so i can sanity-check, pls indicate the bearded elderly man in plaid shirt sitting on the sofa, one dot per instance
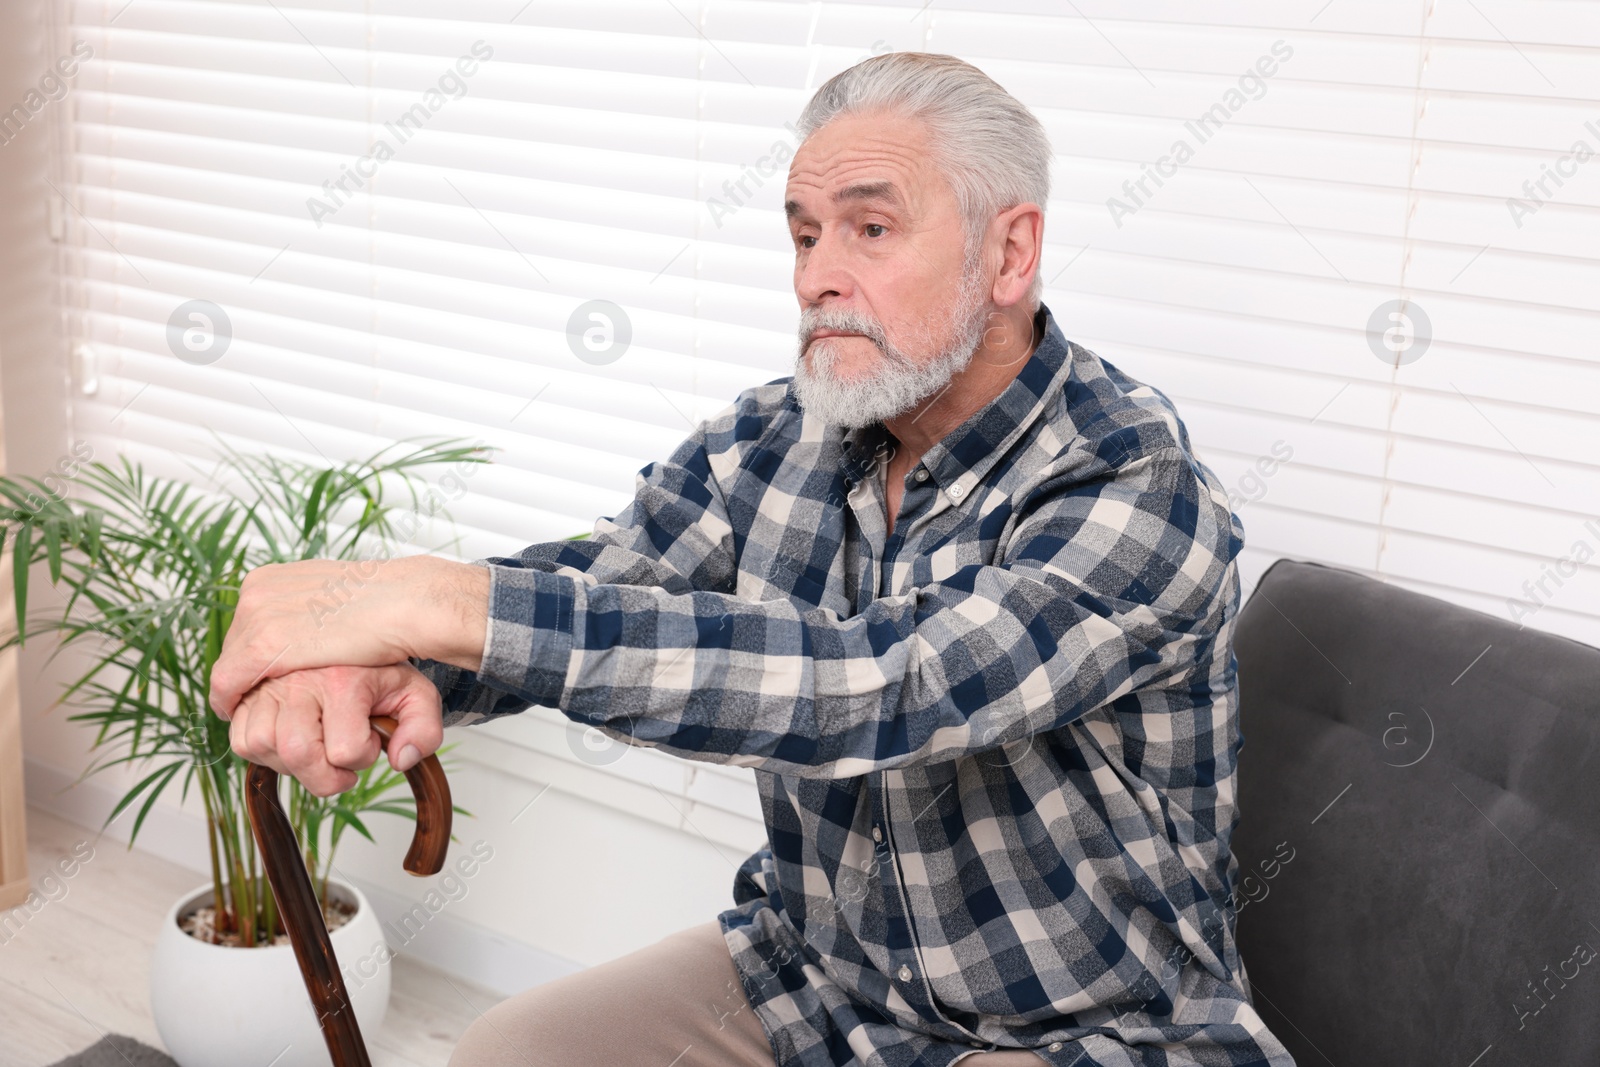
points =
(959, 593)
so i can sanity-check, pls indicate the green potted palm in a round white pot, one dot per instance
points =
(151, 570)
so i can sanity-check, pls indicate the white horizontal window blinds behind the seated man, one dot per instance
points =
(634, 153)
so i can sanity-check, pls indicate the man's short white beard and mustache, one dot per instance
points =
(900, 382)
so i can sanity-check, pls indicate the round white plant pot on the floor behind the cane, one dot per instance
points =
(217, 1005)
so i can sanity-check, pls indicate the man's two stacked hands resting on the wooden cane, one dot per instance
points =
(319, 647)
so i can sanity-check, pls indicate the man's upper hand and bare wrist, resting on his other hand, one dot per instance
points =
(364, 613)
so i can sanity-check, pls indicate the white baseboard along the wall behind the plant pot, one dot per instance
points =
(449, 945)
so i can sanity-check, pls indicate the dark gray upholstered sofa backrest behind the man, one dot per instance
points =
(1420, 828)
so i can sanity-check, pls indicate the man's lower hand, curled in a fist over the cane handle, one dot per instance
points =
(316, 724)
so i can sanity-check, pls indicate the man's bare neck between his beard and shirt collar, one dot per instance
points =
(1007, 345)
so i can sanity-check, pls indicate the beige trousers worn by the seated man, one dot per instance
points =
(674, 1004)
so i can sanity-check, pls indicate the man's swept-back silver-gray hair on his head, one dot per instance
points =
(991, 148)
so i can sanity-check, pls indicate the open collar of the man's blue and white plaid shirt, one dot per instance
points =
(961, 460)
